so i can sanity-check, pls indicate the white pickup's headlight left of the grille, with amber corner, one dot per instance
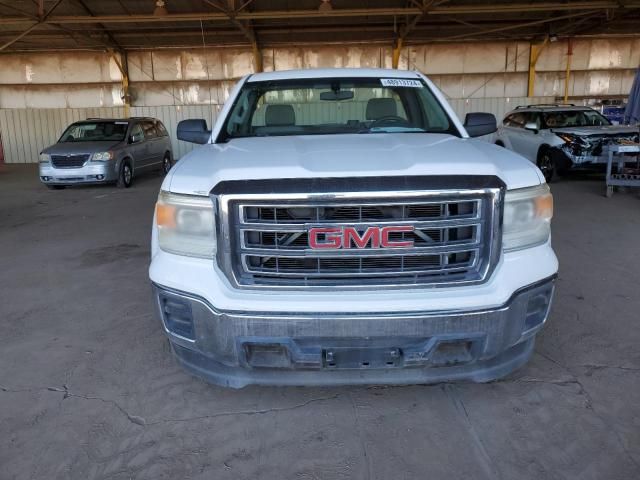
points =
(186, 225)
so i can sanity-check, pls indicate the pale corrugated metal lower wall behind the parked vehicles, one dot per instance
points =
(25, 132)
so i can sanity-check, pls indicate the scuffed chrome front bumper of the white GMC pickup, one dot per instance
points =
(240, 348)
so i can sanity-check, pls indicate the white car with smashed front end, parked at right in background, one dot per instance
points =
(558, 138)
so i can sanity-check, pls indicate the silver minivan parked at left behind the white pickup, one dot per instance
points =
(100, 150)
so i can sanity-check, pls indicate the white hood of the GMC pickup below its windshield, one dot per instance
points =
(346, 155)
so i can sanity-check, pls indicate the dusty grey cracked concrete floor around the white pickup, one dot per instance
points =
(89, 388)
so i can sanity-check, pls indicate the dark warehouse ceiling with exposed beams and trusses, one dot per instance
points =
(44, 25)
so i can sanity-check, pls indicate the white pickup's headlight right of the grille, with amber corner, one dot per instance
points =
(527, 217)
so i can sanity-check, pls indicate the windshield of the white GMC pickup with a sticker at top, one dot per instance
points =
(335, 106)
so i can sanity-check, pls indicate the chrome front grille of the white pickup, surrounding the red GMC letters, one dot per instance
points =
(265, 239)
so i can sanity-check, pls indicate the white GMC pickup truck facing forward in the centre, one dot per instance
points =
(341, 226)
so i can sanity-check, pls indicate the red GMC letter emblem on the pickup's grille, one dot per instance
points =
(348, 237)
